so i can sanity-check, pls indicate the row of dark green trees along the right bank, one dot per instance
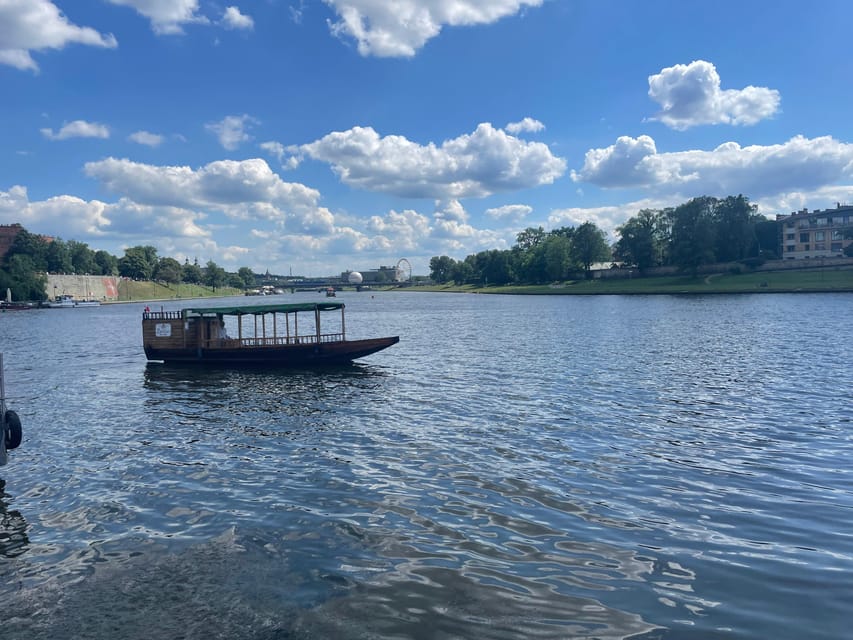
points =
(701, 231)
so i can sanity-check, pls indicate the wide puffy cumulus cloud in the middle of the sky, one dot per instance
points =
(473, 165)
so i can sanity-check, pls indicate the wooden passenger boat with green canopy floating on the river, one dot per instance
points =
(198, 335)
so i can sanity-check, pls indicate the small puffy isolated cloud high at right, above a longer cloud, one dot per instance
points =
(690, 95)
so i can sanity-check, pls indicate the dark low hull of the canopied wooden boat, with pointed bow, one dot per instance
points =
(281, 355)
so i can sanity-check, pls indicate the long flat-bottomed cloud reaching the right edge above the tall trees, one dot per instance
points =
(799, 163)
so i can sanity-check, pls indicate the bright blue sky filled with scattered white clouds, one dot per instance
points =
(310, 137)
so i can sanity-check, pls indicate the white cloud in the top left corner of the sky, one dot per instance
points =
(35, 25)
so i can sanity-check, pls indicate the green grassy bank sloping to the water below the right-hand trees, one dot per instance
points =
(811, 280)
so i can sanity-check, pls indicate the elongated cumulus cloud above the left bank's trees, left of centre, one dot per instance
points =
(242, 190)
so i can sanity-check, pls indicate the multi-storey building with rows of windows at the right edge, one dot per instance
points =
(816, 234)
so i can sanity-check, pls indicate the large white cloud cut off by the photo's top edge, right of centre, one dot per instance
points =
(399, 29)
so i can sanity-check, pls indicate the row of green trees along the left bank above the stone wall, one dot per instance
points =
(32, 256)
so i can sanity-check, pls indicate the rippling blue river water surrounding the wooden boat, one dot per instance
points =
(655, 467)
